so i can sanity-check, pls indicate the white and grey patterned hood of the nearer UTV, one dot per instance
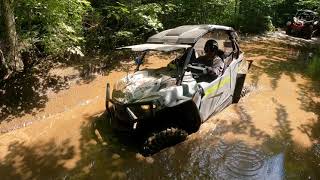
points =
(144, 86)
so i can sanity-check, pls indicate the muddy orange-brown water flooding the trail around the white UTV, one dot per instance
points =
(272, 133)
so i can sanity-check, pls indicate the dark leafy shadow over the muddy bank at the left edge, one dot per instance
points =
(25, 92)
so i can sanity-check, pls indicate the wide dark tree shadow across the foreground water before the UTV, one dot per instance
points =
(104, 154)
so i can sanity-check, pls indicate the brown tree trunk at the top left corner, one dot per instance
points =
(11, 50)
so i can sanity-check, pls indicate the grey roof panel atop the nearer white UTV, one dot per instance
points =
(188, 34)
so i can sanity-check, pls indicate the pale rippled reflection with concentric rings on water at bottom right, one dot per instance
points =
(235, 161)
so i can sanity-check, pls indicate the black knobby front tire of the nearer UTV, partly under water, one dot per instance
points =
(163, 139)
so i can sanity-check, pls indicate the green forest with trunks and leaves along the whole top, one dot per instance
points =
(36, 30)
